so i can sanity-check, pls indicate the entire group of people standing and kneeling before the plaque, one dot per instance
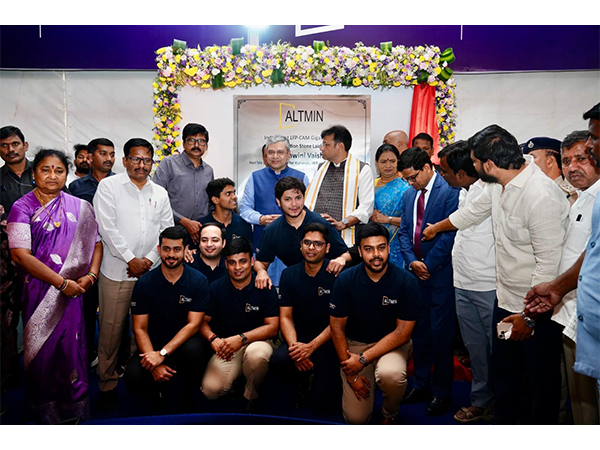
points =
(354, 273)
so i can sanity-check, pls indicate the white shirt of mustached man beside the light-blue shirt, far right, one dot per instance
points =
(578, 234)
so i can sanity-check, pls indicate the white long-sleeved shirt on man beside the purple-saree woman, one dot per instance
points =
(129, 222)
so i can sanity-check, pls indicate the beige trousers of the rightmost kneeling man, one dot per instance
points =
(389, 372)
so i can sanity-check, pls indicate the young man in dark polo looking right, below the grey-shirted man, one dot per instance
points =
(221, 193)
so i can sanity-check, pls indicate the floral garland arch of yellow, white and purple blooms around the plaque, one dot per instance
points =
(219, 67)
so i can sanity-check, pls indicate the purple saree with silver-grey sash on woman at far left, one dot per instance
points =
(56, 376)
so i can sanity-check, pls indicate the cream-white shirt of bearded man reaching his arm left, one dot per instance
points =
(529, 218)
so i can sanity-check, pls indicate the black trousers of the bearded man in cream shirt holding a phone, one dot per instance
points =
(529, 367)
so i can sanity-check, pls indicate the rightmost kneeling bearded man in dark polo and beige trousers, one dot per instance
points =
(373, 311)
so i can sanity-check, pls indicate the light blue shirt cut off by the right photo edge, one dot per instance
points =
(588, 303)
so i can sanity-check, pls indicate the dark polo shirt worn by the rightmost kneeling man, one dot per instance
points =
(372, 308)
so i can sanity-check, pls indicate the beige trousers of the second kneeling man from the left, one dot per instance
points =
(252, 360)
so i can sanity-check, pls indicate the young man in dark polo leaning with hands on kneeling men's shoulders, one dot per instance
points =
(281, 238)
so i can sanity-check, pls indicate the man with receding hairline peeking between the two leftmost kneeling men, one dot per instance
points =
(208, 260)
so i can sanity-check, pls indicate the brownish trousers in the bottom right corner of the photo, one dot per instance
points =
(583, 389)
